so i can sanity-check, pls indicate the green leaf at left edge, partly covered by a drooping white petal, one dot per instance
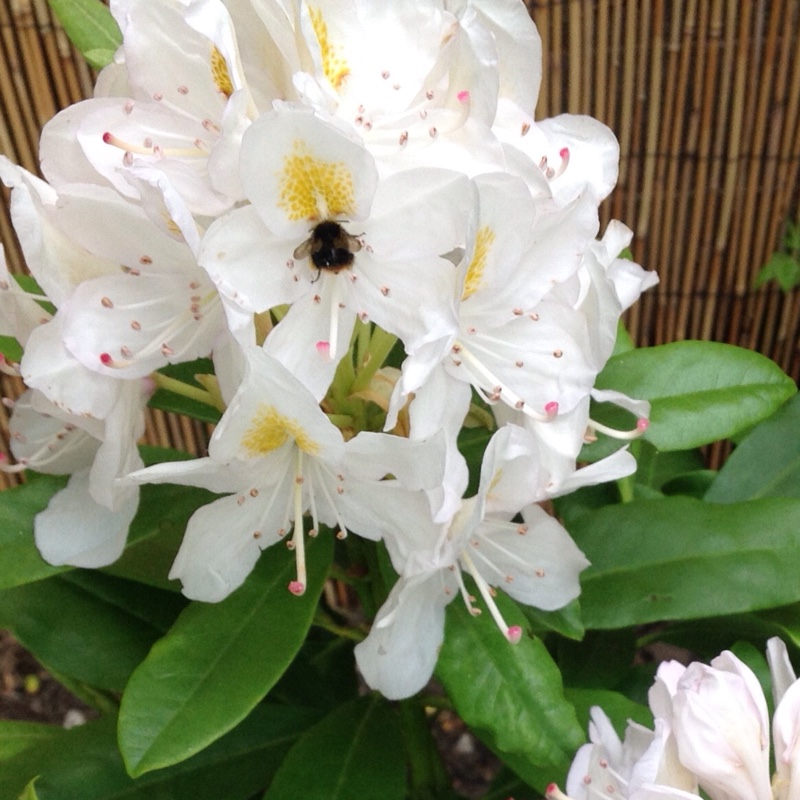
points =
(21, 562)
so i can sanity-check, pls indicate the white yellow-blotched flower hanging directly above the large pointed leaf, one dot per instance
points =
(276, 456)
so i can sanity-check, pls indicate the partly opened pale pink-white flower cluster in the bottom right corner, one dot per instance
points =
(712, 733)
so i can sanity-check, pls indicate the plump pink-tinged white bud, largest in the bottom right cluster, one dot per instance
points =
(721, 726)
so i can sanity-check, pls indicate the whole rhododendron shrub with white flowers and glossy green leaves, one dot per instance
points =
(440, 474)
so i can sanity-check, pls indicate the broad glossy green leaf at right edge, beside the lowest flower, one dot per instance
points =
(680, 558)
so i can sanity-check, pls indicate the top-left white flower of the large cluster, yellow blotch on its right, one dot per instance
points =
(176, 99)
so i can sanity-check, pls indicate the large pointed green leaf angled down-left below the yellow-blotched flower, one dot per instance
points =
(217, 662)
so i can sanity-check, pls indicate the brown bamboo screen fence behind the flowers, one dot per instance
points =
(704, 96)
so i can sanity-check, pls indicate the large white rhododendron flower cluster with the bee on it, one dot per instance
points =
(352, 210)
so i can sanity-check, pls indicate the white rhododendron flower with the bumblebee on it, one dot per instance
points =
(324, 235)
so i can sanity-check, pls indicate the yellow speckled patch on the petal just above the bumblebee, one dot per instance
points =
(313, 189)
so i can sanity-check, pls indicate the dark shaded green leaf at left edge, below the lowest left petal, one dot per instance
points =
(74, 628)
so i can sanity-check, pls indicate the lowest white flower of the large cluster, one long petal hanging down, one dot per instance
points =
(534, 561)
